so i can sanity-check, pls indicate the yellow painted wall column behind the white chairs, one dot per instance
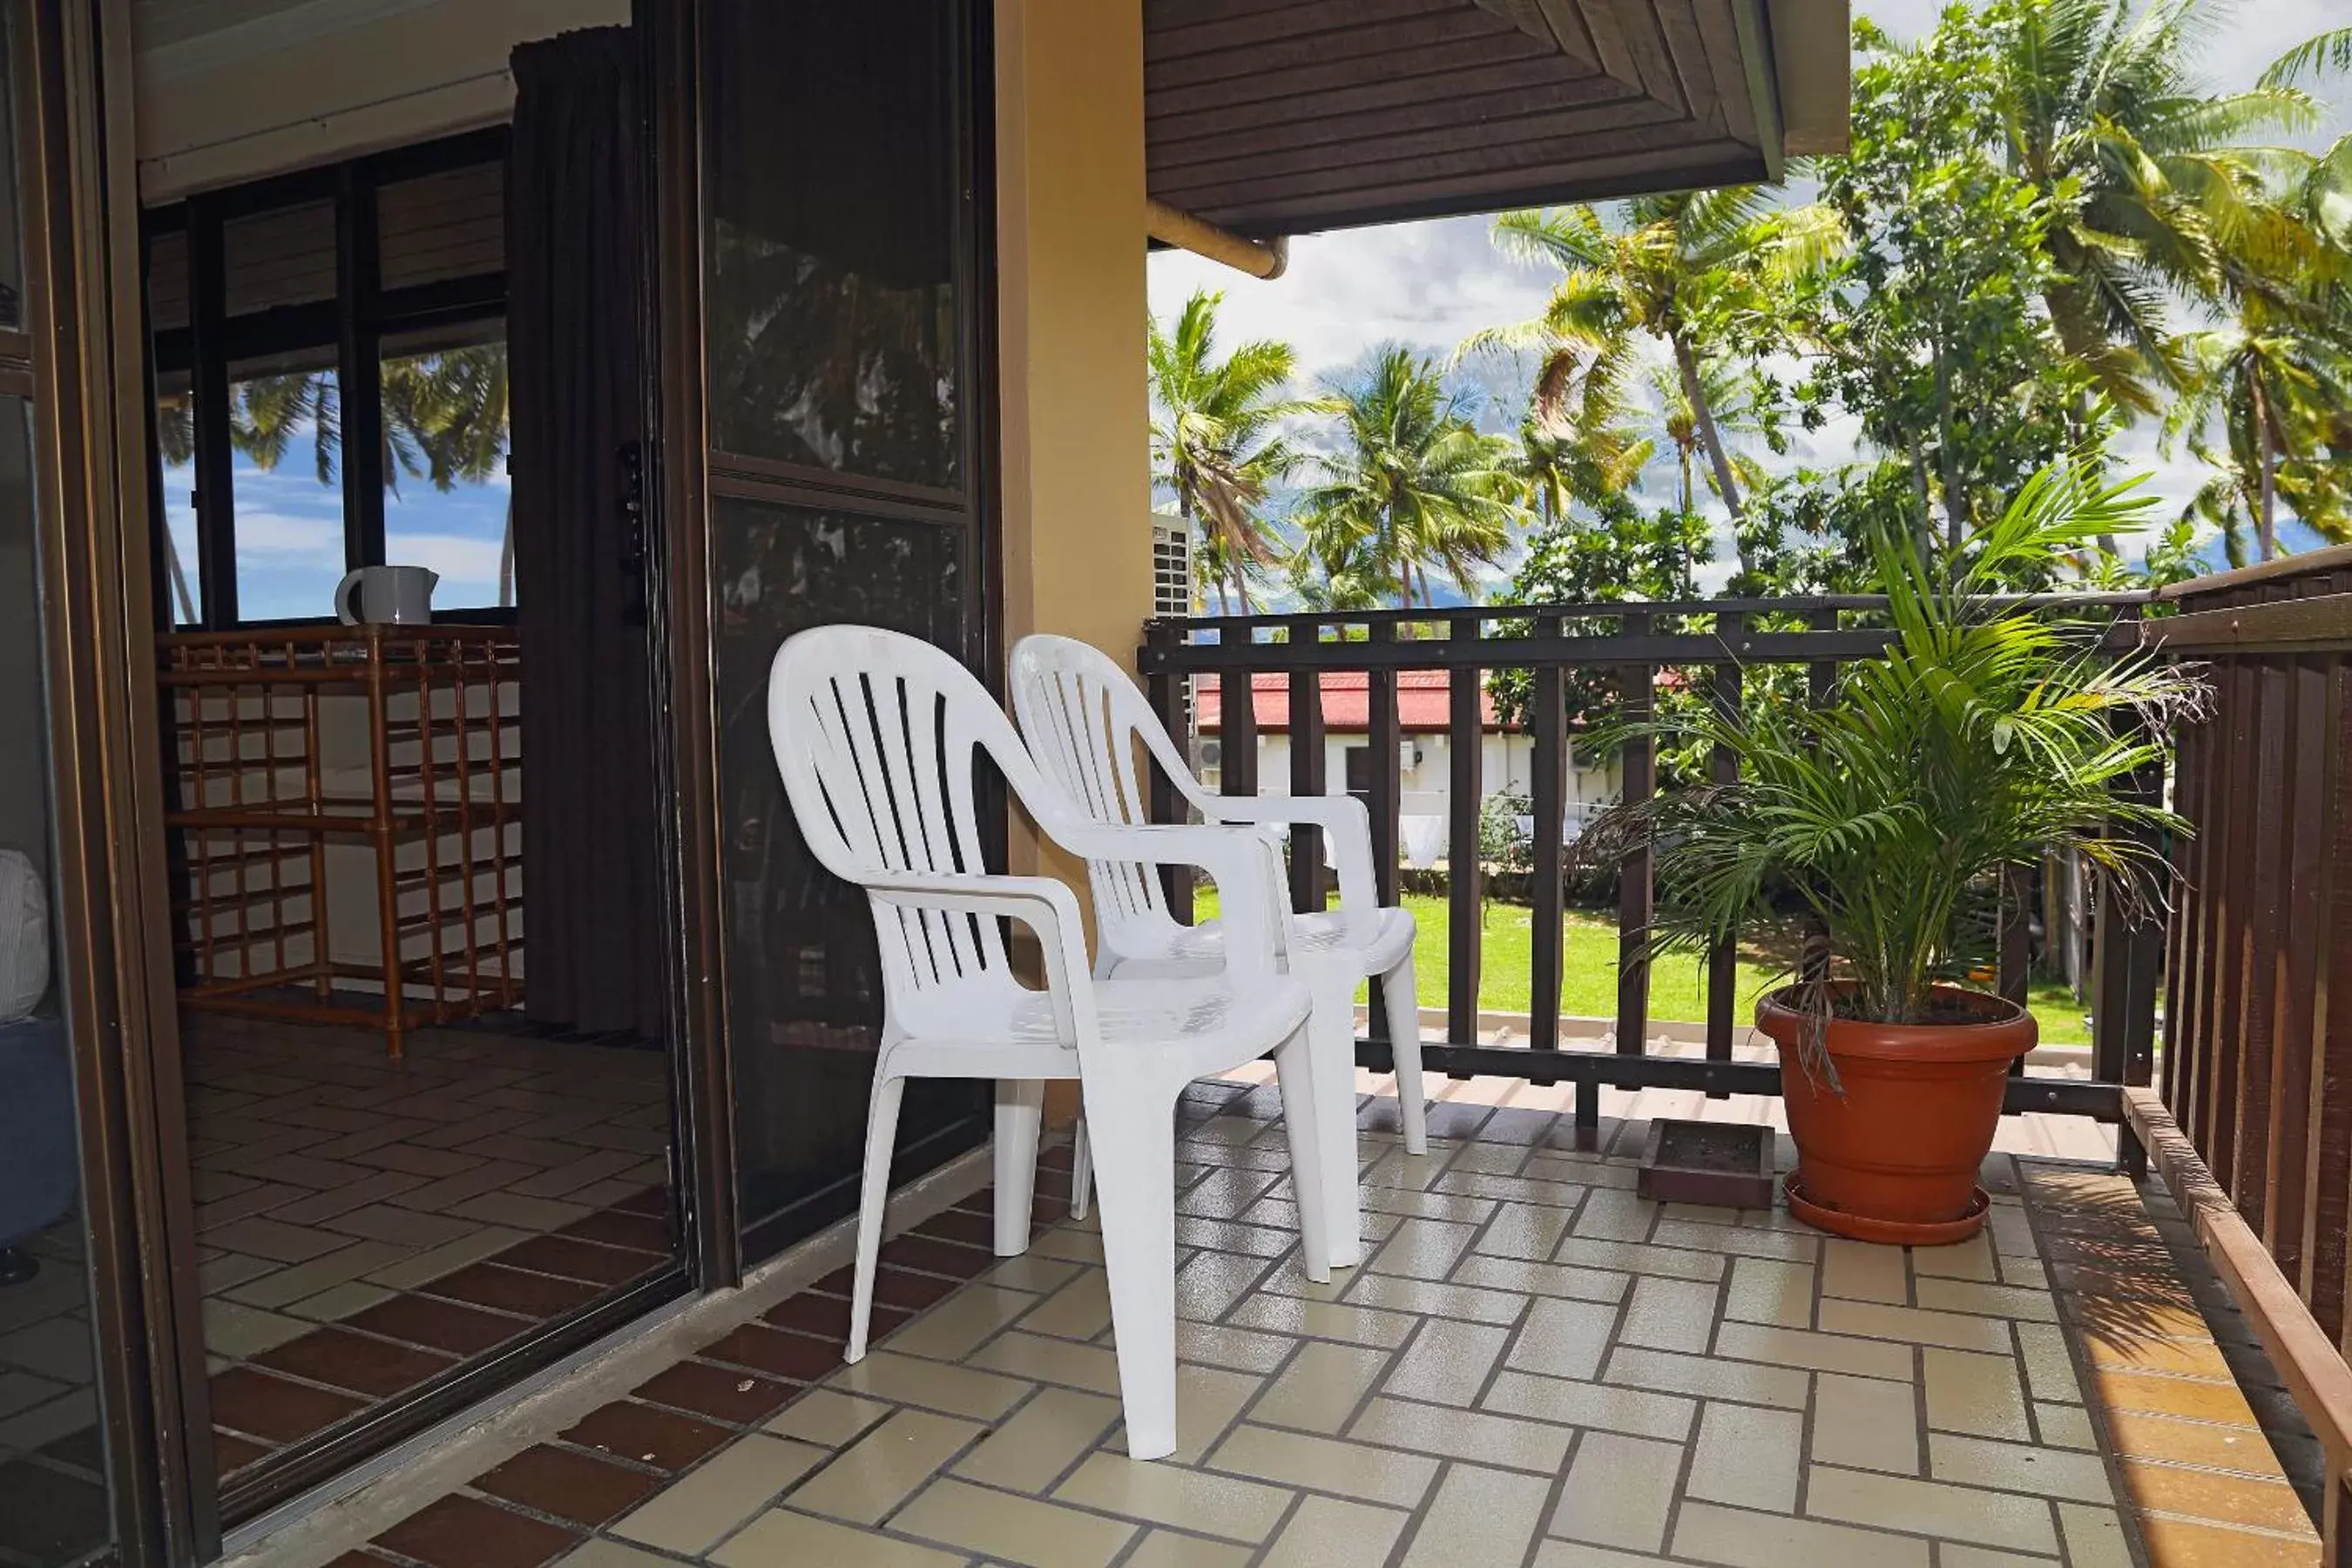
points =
(1071, 319)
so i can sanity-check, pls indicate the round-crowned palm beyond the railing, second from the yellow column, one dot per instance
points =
(1412, 485)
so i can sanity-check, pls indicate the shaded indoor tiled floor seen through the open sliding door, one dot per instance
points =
(366, 1226)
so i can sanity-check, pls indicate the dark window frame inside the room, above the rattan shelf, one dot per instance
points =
(354, 326)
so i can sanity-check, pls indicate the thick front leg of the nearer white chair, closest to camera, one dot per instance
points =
(1137, 1177)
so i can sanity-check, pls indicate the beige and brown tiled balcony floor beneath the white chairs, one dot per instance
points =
(1532, 1367)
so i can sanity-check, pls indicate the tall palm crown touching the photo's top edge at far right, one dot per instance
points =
(2160, 177)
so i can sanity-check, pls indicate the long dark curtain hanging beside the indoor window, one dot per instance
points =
(575, 222)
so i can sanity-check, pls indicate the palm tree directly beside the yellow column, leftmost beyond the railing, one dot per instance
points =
(1217, 438)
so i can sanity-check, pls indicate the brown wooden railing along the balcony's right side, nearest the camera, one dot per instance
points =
(2254, 1125)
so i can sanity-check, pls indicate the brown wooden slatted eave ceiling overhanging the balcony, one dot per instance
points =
(1328, 114)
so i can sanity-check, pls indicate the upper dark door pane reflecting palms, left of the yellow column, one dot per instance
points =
(834, 220)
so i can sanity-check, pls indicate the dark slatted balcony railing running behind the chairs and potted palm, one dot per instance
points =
(1716, 645)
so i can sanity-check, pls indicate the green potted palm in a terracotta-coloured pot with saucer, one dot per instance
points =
(1982, 739)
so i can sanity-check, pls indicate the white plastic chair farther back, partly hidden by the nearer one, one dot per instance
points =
(1083, 721)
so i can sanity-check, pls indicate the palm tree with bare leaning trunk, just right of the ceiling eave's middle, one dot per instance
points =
(1681, 269)
